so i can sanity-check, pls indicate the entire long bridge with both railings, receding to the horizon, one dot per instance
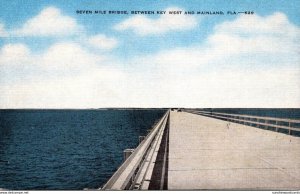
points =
(200, 150)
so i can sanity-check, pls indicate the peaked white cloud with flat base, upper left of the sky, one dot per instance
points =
(49, 22)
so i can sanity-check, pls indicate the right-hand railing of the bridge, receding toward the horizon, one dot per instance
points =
(256, 121)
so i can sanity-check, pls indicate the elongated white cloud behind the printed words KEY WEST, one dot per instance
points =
(144, 26)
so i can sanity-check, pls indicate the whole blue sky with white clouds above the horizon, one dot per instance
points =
(52, 57)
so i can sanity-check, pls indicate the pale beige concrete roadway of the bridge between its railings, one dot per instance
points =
(207, 153)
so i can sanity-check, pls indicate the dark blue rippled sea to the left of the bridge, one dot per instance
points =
(66, 149)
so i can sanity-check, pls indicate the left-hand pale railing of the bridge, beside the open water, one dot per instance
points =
(127, 174)
